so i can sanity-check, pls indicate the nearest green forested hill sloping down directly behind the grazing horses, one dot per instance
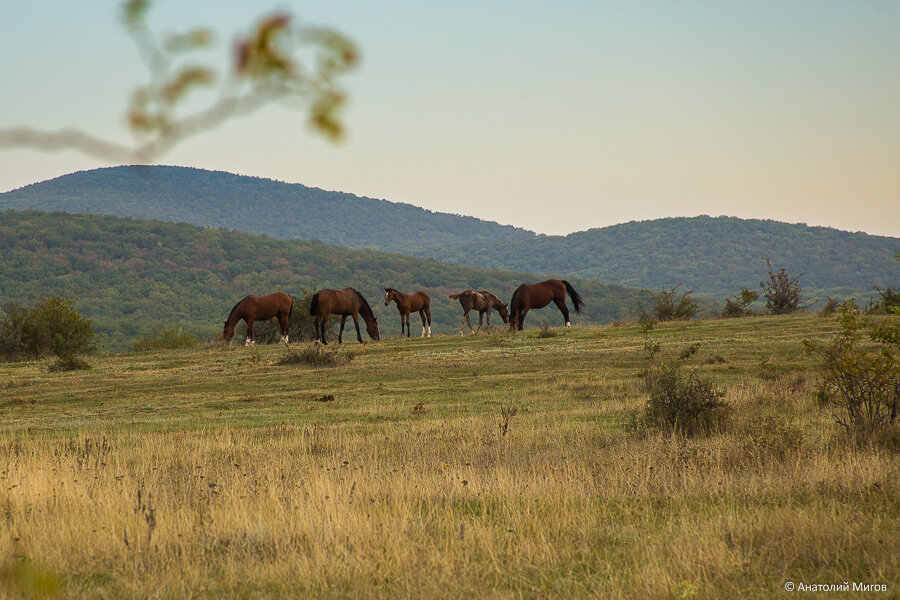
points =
(132, 277)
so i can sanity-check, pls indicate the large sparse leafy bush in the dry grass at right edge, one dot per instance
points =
(861, 384)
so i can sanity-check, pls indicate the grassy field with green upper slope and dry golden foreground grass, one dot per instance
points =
(210, 473)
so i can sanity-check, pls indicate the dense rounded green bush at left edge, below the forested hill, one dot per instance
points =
(50, 326)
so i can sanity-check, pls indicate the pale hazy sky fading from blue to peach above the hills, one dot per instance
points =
(554, 116)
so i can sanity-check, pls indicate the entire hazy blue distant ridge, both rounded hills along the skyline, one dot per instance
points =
(715, 256)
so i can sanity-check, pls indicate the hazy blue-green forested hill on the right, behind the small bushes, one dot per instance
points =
(716, 256)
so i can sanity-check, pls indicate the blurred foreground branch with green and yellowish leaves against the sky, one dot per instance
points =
(264, 69)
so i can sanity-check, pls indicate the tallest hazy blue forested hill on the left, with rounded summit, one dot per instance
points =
(254, 205)
